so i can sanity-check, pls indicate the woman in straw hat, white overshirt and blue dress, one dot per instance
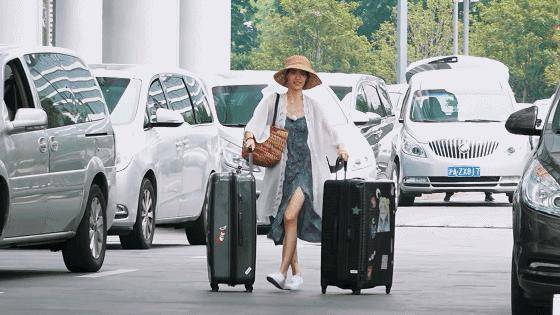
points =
(293, 188)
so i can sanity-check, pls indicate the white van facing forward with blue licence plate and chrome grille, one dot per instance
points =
(453, 136)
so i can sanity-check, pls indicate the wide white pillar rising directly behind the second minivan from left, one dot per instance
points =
(141, 31)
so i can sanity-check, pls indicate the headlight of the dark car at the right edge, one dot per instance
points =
(540, 190)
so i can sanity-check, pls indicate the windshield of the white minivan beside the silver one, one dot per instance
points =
(121, 96)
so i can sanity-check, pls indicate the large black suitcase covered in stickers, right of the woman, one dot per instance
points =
(357, 249)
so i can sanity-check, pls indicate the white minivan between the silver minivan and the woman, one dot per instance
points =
(167, 146)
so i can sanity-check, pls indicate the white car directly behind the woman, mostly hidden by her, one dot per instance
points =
(237, 93)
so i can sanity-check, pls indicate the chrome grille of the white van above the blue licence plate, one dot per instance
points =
(463, 149)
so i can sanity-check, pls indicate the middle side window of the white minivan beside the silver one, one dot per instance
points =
(178, 97)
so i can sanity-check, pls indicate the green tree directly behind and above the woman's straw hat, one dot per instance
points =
(322, 30)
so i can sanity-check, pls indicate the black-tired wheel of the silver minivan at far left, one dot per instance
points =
(85, 252)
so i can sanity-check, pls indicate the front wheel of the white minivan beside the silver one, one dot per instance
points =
(143, 231)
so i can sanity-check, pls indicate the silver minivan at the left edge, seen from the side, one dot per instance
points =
(57, 156)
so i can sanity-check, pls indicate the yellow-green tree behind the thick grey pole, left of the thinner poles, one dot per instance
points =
(429, 34)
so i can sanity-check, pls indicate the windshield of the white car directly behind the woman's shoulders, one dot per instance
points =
(235, 103)
